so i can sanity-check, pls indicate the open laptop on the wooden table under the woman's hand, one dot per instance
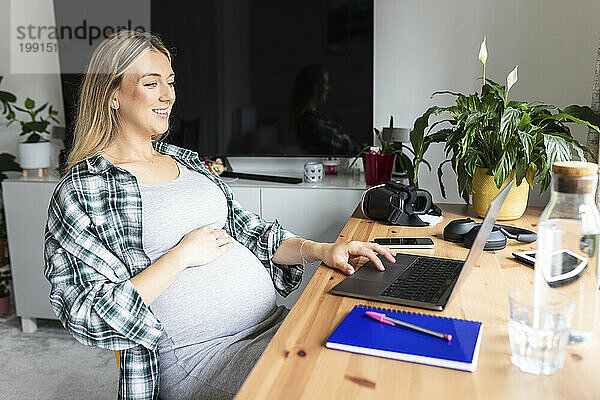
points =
(420, 281)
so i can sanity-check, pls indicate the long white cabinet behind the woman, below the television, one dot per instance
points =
(314, 212)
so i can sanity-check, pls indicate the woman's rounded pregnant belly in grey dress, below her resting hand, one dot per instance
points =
(228, 295)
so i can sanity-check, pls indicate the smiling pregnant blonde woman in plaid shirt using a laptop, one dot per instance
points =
(148, 253)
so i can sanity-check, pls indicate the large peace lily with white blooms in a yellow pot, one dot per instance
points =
(491, 139)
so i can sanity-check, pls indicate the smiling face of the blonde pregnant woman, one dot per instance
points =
(146, 96)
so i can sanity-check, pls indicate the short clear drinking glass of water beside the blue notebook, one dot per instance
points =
(538, 330)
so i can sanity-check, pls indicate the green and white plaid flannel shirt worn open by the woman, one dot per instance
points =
(93, 246)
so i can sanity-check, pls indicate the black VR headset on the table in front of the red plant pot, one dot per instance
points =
(398, 204)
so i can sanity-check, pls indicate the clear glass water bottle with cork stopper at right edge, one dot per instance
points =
(567, 246)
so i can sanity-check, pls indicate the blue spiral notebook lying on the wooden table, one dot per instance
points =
(358, 333)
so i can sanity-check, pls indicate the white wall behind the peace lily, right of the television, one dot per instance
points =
(426, 45)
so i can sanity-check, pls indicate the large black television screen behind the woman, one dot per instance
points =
(265, 77)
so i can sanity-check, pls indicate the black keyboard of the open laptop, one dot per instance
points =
(425, 280)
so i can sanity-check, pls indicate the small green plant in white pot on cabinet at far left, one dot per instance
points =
(35, 150)
